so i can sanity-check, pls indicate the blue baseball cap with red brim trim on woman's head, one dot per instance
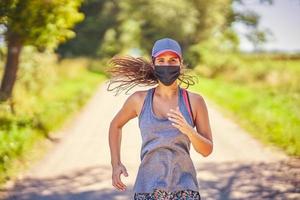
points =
(164, 45)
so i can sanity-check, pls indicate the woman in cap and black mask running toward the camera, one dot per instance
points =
(166, 122)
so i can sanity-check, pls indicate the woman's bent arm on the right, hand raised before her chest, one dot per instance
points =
(202, 138)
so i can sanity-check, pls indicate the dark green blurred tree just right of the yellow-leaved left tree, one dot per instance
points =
(100, 17)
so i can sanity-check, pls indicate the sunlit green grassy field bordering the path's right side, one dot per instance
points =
(268, 84)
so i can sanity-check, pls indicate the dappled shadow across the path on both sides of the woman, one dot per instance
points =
(221, 181)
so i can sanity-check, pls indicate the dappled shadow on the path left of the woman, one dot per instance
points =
(81, 184)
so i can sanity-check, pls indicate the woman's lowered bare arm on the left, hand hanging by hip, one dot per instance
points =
(127, 112)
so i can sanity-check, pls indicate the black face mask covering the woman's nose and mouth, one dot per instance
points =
(167, 74)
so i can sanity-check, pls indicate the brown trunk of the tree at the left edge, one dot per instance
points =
(11, 67)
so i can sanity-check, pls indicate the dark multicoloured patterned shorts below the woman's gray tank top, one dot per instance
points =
(164, 195)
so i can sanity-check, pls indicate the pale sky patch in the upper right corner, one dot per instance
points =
(282, 18)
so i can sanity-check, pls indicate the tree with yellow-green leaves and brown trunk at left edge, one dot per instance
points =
(43, 24)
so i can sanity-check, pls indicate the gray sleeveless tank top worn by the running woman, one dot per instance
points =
(165, 152)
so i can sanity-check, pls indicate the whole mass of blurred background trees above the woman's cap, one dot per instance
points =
(118, 27)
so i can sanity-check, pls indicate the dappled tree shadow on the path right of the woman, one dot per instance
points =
(253, 180)
